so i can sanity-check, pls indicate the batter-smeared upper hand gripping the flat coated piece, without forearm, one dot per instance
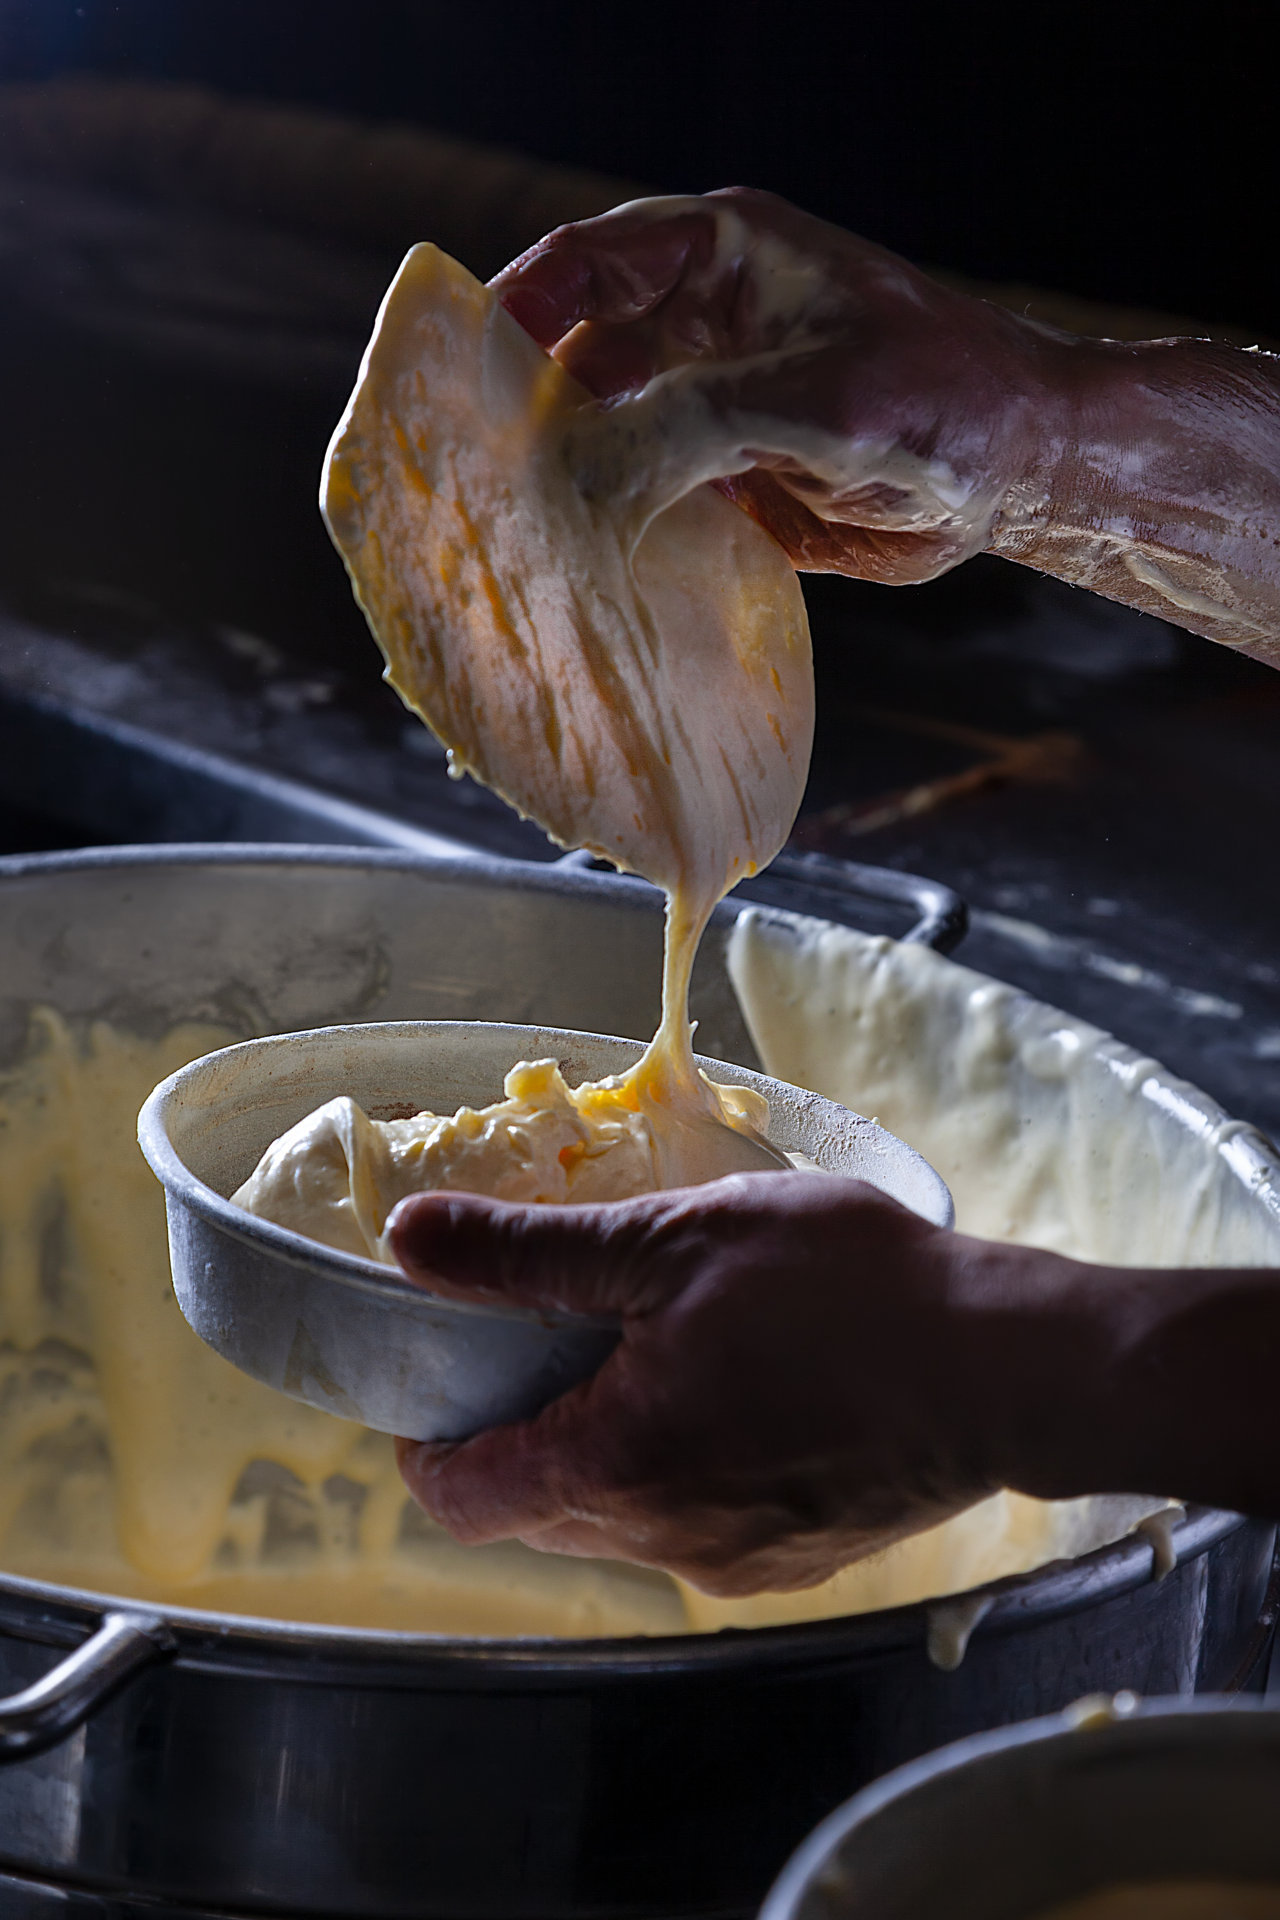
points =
(872, 420)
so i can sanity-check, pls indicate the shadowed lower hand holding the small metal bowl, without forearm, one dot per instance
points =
(807, 1374)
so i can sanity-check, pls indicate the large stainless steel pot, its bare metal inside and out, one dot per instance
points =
(239, 1765)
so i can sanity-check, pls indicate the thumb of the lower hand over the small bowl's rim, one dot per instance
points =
(579, 1259)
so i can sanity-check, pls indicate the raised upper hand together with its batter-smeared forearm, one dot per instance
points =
(888, 427)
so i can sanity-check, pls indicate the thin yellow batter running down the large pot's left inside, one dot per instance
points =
(135, 1460)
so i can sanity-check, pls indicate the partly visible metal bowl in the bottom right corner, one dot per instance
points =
(1008, 1825)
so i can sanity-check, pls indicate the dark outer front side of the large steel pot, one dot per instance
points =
(312, 1771)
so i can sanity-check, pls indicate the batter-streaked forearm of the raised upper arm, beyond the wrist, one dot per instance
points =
(1158, 485)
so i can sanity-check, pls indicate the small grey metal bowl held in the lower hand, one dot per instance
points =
(354, 1337)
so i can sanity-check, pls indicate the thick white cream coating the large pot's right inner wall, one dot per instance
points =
(1047, 1130)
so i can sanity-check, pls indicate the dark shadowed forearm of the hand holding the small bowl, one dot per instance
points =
(1133, 1381)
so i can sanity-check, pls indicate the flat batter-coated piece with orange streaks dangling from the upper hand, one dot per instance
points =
(638, 690)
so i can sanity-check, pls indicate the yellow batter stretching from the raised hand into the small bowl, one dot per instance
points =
(638, 686)
